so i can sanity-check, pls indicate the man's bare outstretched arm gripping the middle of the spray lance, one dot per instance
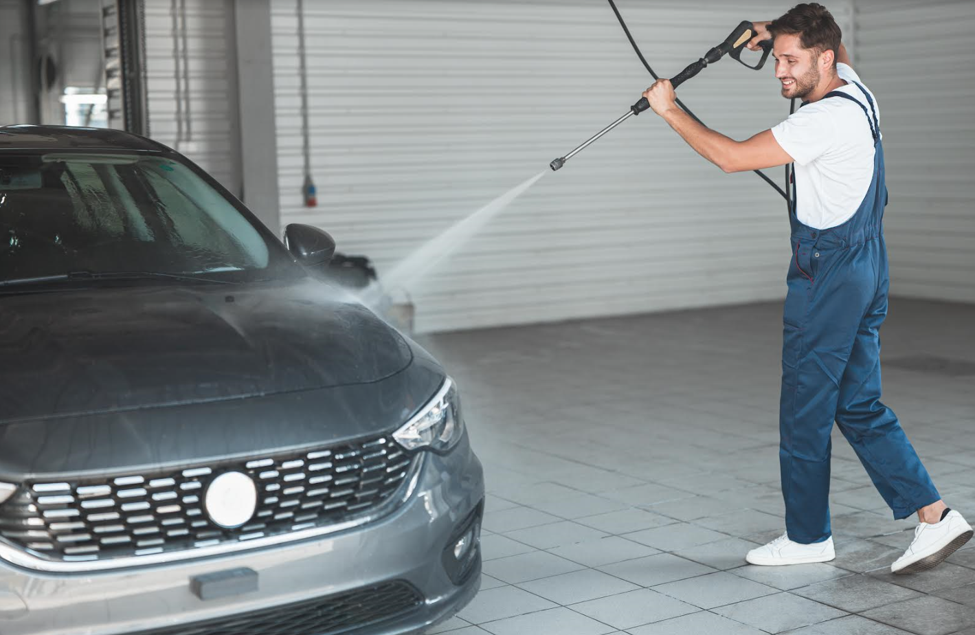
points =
(759, 152)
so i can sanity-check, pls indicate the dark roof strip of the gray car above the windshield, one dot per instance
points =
(29, 137)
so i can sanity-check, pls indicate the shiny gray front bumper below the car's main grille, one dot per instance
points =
(407, 546)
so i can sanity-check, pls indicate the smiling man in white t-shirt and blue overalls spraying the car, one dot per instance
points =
(837, 292)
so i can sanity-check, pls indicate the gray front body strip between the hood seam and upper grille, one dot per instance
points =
(154, 440)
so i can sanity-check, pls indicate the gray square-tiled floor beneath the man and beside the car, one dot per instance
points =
(632, 462)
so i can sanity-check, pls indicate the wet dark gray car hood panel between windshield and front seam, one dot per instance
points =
(101, 350)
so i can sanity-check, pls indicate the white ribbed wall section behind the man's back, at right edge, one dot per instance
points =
(916, 57)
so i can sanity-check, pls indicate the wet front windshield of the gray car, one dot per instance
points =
(103, 214)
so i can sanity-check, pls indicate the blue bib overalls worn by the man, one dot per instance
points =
(837, 300)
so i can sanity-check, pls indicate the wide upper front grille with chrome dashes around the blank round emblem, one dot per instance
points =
(143, 514)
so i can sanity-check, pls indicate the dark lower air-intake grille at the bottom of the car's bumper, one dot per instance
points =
(324, 616)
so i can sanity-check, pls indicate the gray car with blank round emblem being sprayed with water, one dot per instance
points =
(198, 433)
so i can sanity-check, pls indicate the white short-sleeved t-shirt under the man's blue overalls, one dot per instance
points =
(832, 145)
